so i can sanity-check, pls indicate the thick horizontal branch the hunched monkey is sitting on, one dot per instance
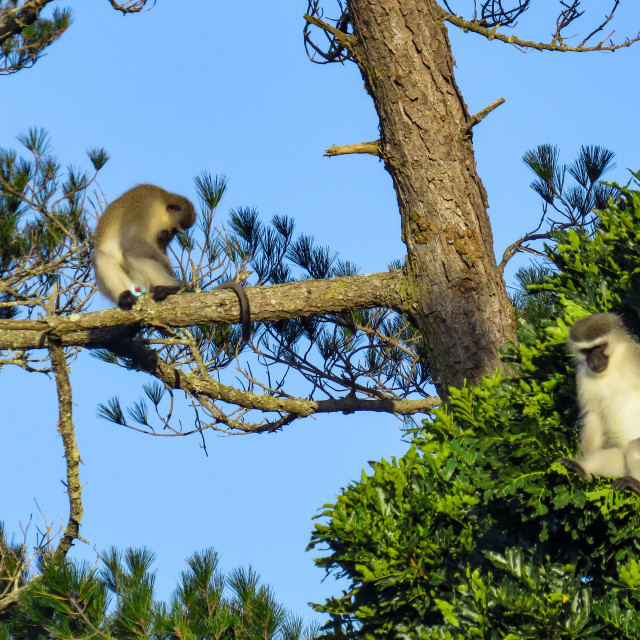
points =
(268, 304)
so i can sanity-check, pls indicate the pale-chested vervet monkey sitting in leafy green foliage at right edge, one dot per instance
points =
(608, 382)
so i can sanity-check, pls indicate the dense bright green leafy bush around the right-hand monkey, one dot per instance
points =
(477, 531)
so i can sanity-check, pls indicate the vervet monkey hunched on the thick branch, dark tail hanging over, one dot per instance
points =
(130, 254)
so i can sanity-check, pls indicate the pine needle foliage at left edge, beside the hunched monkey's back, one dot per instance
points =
(44, 229)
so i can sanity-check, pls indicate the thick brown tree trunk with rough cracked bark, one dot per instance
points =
(463, 310)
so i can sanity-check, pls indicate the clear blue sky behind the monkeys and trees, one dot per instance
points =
(228, 88)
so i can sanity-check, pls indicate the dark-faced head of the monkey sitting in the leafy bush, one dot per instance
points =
(594, 339)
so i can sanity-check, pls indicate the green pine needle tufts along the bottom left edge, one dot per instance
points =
(116, 600)
